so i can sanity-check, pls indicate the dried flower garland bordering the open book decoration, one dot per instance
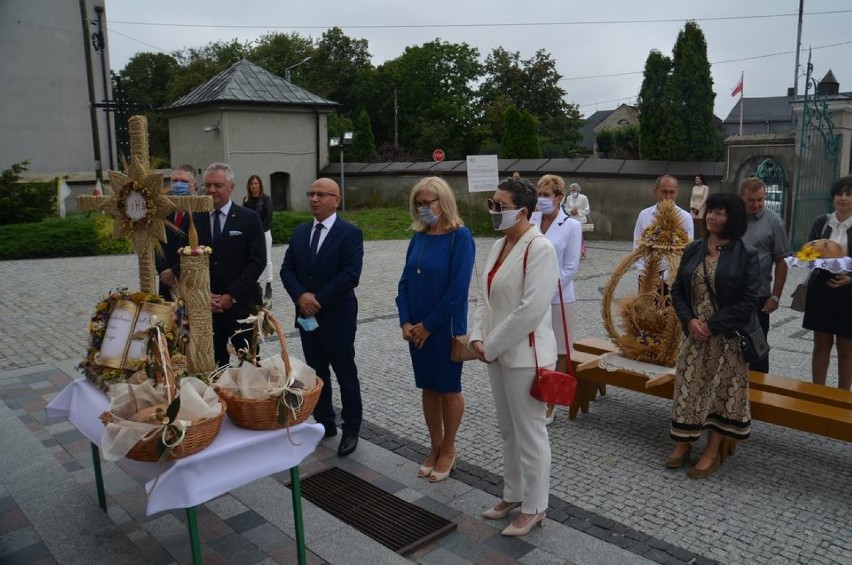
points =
(102, 376)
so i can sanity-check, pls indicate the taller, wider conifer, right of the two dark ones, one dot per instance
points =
(689, 126)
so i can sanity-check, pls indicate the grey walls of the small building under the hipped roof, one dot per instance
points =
(255, 141)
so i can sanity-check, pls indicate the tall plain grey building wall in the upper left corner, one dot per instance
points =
(44, 100)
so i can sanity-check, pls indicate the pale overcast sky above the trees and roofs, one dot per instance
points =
(599, 47)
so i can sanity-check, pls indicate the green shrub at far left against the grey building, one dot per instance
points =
(24, 202)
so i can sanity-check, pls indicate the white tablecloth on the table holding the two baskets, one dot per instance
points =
(236, 457)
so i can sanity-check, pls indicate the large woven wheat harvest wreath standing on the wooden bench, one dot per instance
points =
(648, 328)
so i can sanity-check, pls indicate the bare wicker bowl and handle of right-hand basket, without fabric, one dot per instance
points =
(262, 413)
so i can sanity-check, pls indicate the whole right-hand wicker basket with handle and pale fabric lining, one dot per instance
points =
(279, 392)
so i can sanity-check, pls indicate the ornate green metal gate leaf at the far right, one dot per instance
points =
(816, 163)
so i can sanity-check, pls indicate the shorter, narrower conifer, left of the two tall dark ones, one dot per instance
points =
(653, 106)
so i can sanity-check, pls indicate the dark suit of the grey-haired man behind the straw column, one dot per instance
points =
(239, 256)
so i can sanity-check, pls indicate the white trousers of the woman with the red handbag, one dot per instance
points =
(526, 446)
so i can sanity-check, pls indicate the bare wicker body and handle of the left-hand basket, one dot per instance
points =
(198, 436)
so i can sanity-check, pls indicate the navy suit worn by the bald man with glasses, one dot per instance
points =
(332, 276)
